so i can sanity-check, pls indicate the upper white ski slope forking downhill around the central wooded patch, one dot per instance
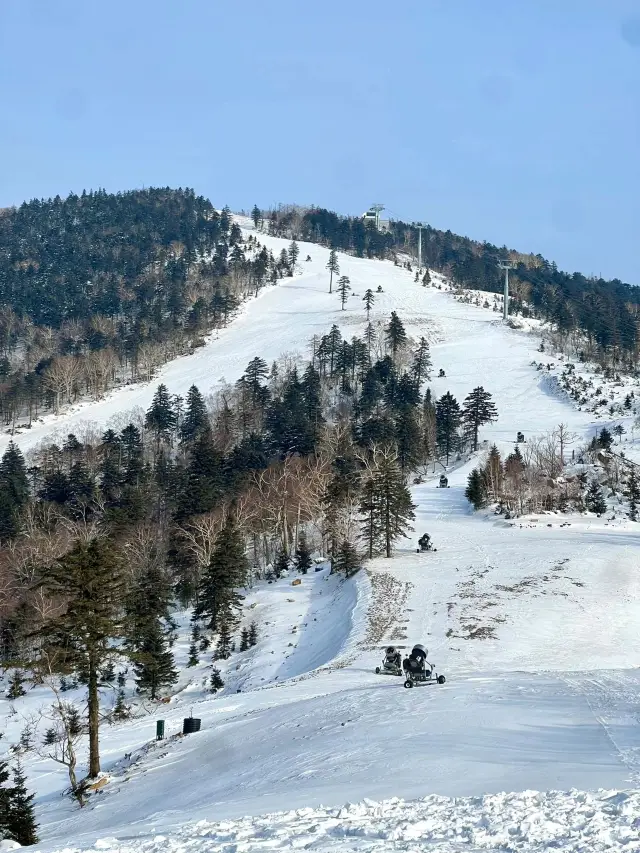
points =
(469, 343)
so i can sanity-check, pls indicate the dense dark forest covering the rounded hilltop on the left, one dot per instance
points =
(99, 289)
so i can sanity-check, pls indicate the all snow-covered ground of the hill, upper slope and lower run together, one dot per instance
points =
(534, 623)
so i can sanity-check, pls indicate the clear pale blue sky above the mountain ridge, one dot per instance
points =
(512, 121)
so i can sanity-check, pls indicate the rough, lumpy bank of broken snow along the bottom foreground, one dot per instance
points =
(527, 822)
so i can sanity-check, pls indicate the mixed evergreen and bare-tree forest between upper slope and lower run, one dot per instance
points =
(103, 536)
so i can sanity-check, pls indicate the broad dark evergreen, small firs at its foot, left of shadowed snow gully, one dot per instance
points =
(227, 570)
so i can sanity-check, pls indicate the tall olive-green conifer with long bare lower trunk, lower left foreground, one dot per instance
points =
(90, 579)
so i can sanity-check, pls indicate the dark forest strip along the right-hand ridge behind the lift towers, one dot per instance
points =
(603, 313)
